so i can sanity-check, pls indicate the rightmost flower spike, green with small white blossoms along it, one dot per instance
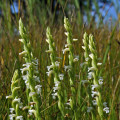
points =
(97, 81)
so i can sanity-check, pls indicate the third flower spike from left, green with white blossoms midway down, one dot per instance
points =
(53, 68)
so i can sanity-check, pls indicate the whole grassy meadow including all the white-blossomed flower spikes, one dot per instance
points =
(67, 71)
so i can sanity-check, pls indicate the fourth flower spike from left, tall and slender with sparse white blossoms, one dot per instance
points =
(70, 67)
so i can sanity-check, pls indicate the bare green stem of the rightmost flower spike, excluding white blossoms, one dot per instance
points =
(95, 75)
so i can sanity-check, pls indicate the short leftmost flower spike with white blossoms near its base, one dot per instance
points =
(16, 101)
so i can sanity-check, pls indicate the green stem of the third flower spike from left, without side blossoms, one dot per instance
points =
(54, 67)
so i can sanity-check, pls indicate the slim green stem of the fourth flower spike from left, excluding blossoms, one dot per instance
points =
(71, 71)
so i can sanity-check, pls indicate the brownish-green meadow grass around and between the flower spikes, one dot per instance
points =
(107, 40)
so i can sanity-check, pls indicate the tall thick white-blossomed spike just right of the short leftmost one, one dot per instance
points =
(29, 74)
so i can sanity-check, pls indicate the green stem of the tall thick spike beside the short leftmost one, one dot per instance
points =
(31, 69)
